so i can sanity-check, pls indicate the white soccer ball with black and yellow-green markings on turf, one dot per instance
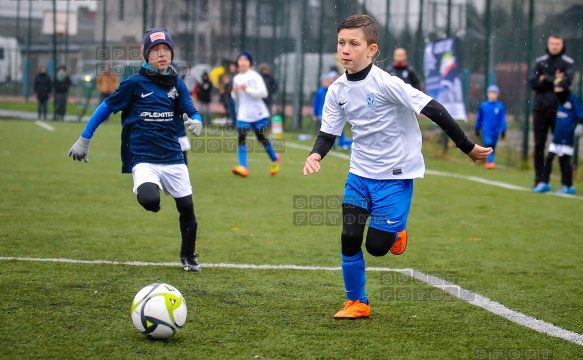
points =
(158, 311)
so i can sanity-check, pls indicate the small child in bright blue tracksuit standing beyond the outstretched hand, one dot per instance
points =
(491, 123)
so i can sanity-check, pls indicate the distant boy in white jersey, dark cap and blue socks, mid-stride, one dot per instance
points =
(249, 90)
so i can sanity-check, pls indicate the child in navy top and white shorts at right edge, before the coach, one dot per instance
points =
(567, 127)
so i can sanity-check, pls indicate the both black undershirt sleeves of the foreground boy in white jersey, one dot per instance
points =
(433, 110)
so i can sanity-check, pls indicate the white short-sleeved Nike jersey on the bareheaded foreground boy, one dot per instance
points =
(381, 110)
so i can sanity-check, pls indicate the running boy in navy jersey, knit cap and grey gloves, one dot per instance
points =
(150, 131)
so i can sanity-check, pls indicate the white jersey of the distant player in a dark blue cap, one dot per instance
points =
(250, 105)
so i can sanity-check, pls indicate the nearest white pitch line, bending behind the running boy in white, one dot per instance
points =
(446, 286)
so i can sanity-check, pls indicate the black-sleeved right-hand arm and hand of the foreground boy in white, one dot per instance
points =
(439, 115)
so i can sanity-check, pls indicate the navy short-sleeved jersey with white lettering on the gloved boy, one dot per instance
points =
(151, 119)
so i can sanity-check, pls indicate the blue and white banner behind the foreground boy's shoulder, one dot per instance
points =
(442, 77)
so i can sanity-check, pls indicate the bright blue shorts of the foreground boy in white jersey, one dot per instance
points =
(387, 201)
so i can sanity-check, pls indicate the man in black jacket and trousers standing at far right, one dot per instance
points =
(551, 68)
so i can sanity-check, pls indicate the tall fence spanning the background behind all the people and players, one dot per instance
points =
(498, 41)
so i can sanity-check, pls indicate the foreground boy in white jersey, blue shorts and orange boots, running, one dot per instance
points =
(386, 153)
